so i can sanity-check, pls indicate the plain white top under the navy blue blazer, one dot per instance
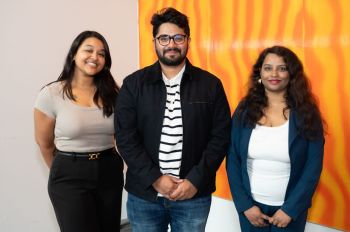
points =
(268, 164)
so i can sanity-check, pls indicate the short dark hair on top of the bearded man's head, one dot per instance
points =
(170, 15)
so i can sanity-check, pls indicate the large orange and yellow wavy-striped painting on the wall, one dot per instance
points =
(226, 37)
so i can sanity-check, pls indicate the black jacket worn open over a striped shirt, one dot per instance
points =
(138, 123)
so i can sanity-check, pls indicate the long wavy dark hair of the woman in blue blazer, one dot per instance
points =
(298, 95)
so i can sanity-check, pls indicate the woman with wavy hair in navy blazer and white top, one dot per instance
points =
(277, 144)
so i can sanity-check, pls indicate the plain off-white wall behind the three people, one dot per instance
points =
(34, 39)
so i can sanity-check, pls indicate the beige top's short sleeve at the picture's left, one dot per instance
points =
(45, 103)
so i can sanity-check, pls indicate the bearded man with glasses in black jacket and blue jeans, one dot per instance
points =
(172, 125)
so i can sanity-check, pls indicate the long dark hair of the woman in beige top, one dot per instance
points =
(106, 87)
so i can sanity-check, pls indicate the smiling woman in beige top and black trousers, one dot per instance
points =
(74, 130)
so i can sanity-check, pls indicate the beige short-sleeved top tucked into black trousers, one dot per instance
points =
(77, 128)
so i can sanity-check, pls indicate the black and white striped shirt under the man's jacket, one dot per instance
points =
(170, 149)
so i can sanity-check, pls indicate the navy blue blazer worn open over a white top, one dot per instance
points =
(306, 158)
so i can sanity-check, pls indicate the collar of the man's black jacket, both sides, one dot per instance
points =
(155, 72)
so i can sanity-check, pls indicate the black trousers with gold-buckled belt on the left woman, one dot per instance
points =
(86, 194)
